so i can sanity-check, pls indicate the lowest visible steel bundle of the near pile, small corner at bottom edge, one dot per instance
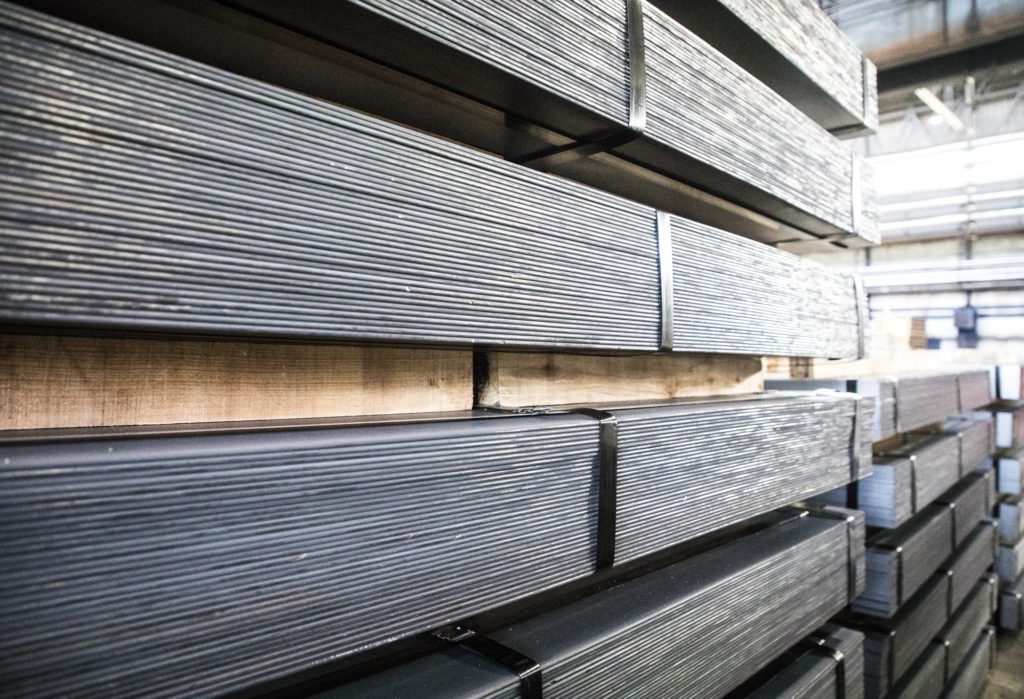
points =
(830, 663)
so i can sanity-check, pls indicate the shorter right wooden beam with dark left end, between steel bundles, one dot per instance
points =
(518, 380)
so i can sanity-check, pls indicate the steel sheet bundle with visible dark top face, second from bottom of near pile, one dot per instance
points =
(663, 634)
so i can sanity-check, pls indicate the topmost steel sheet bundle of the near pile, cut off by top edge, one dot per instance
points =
(795, 50)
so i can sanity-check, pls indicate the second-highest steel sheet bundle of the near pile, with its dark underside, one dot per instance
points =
(629, 88)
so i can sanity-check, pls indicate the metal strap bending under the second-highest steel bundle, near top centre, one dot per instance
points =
(549, 158)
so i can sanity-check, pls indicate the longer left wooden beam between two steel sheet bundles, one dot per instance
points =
(62, 382)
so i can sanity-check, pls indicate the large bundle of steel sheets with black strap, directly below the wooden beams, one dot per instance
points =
(368, 532)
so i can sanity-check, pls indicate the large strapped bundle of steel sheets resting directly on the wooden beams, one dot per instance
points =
(146, 193)
